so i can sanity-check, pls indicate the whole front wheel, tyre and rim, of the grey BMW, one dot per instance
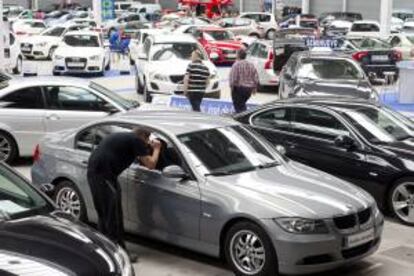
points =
(247, 236)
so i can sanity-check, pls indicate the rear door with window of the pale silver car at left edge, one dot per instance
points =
(22, 112)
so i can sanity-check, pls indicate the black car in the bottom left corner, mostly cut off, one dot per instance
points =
(35, 237)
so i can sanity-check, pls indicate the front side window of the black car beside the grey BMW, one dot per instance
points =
(317, 124)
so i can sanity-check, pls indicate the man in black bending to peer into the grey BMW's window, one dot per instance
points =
(114, 154)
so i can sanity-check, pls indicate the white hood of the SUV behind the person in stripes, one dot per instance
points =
(179, 68)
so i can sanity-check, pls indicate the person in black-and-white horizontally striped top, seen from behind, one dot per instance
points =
(196, 80)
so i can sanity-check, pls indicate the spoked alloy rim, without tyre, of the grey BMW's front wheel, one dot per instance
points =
(247, 252)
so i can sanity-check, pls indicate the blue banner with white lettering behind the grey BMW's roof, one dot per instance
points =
(209, 106)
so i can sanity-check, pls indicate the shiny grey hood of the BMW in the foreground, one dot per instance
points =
(295, 190)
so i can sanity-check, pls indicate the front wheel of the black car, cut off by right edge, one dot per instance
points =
(401, 200)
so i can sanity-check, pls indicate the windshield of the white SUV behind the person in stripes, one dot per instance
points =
(169, 51)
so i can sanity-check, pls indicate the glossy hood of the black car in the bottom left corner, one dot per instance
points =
(57, 241)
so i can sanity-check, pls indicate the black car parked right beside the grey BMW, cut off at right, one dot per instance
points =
(362, 142)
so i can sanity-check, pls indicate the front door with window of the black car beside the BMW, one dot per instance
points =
(314, 132)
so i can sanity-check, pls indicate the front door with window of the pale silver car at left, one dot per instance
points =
(72, 106)
